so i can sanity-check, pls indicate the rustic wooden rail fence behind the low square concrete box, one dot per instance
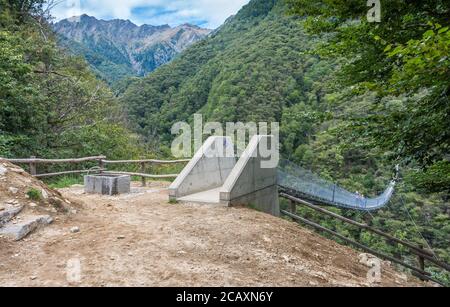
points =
(102, 162)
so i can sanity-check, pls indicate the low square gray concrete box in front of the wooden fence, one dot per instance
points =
(107, 184)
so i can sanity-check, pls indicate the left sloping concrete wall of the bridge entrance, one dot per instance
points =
(208, 169)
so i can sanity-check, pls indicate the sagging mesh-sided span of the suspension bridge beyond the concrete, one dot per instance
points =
(310, 186)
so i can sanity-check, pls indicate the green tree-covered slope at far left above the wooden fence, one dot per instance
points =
(51, 104)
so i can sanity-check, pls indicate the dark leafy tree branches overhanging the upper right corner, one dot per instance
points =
(404, 57)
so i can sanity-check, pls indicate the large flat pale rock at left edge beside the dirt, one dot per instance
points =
(20, 230)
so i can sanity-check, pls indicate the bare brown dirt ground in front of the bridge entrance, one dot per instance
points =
(141, 240)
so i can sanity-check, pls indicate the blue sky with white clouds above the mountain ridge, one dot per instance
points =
(205, 13)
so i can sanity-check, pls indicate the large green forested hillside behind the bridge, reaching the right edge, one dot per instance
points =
(272, 63)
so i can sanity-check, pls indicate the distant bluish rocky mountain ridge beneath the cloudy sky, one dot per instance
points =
(119, 48)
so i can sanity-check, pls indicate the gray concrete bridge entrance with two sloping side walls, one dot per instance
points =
(213, 177)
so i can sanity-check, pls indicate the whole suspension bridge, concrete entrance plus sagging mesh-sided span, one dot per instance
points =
(214, 176)
